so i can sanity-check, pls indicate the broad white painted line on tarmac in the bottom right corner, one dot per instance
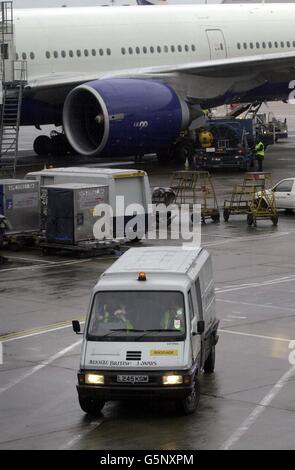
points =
(258, 410)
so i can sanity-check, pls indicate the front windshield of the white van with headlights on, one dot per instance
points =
(134, 315)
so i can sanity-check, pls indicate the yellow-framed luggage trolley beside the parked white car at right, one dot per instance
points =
(253, 198)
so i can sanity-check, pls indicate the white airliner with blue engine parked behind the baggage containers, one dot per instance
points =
(132, 81)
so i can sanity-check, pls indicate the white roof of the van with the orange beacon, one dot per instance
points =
(174, 259)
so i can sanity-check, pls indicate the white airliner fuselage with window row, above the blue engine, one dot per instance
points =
(64, 43)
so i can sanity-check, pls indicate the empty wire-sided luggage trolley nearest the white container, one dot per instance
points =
(196, 187)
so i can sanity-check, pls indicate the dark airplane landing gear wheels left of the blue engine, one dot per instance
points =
(56, 145)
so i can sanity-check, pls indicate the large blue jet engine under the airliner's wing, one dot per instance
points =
(123, 116)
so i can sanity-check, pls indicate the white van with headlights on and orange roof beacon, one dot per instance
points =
(151, 329)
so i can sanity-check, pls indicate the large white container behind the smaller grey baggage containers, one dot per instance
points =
(132, 185)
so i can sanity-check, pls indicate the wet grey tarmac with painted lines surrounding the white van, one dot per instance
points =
(248, 403)
